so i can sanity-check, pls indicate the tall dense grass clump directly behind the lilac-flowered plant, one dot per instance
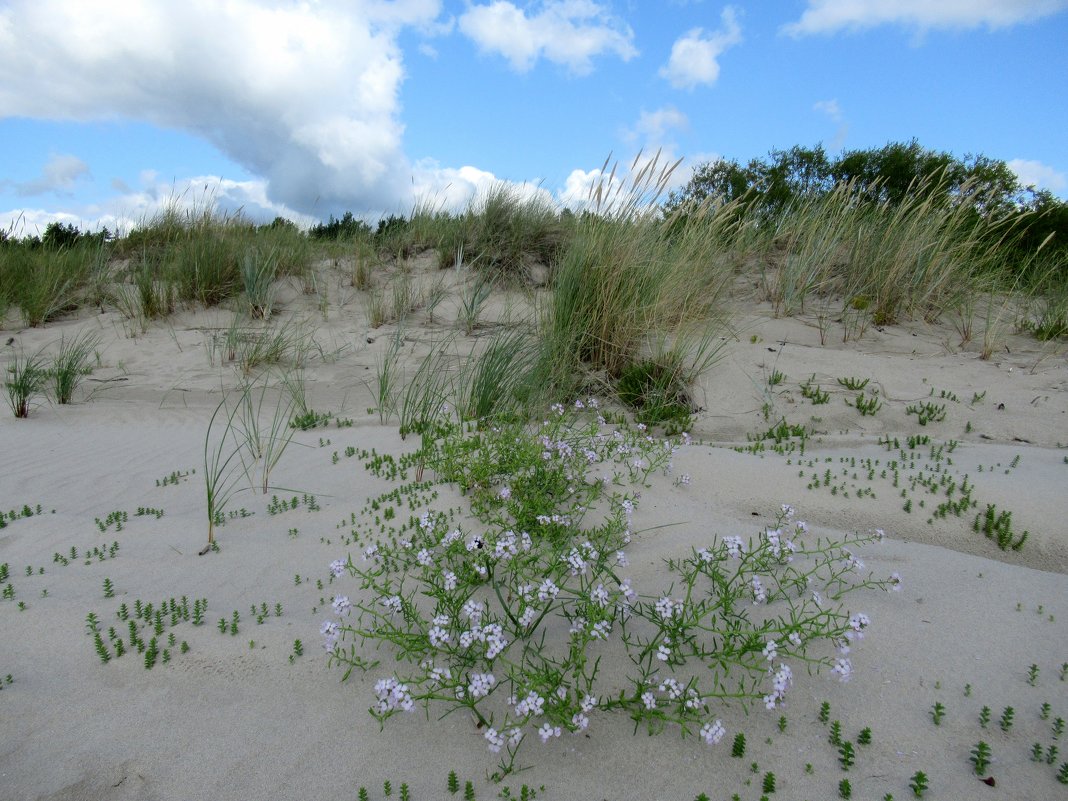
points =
(630, 279)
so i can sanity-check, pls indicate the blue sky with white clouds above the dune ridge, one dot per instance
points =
(112, 111)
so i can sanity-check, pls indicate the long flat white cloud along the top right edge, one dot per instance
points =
(828, 17)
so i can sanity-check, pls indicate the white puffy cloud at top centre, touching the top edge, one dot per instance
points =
(567, 33)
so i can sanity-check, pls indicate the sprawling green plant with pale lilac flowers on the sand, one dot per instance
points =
(512, 619)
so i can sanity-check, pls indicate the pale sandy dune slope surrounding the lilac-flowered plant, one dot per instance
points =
(226, 721)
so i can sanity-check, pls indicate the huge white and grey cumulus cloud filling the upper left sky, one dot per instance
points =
(305, 96)
